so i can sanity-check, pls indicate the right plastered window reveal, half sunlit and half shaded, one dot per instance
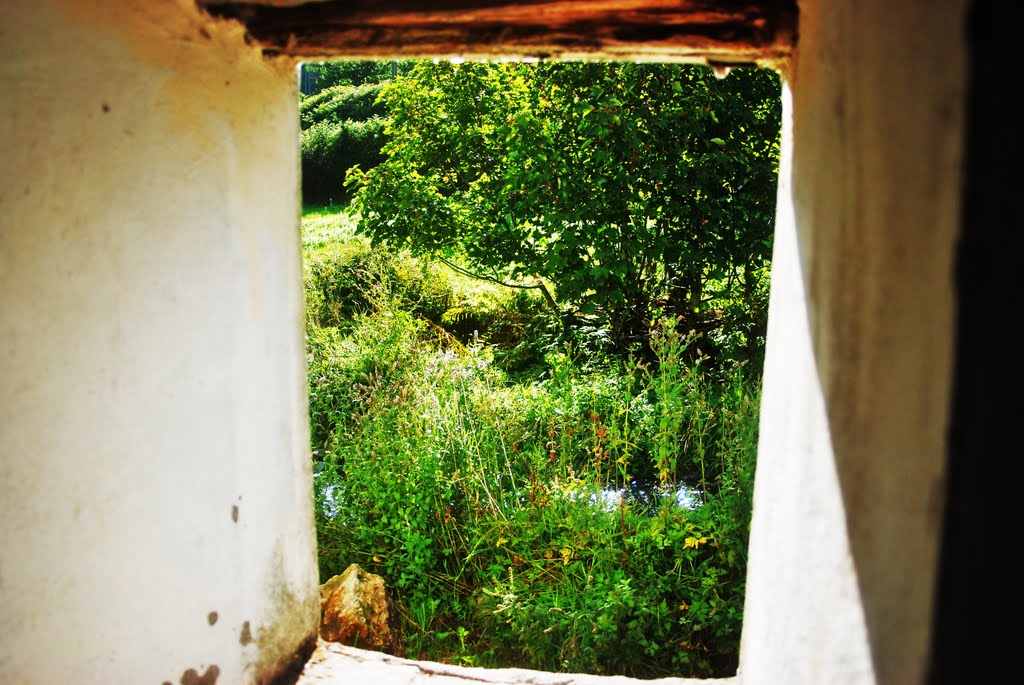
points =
(849, 492)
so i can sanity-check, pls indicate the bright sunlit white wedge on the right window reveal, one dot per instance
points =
(803, 621)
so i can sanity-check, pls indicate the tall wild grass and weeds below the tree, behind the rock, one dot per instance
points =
(594, 521)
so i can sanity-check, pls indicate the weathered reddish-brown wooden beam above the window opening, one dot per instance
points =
(730, 33)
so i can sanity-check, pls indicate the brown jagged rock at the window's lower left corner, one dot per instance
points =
(356, 611)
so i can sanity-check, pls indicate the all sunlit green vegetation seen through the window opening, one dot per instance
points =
(540, 484)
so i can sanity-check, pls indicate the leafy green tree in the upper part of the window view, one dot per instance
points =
(632, 188)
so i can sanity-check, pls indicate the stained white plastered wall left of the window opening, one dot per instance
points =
(155, 486)
